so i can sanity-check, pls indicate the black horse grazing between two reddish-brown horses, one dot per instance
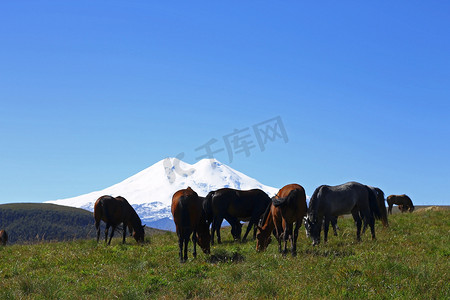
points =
(234, 206)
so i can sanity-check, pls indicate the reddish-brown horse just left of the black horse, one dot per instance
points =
(189, 218)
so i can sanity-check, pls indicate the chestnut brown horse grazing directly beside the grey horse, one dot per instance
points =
(288, 207)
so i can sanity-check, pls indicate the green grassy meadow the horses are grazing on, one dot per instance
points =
(409, 260)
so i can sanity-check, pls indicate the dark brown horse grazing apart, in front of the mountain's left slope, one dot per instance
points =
(114, 211)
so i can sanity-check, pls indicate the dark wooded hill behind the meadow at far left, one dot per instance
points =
(37, 222)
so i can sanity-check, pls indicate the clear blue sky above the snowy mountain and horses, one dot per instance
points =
(94, 91)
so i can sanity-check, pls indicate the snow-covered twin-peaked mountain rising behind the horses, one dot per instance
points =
(150, 191)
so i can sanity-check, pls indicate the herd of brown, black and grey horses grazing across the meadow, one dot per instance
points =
(280, 216)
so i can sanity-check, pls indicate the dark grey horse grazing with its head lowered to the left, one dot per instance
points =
(350, 197)
